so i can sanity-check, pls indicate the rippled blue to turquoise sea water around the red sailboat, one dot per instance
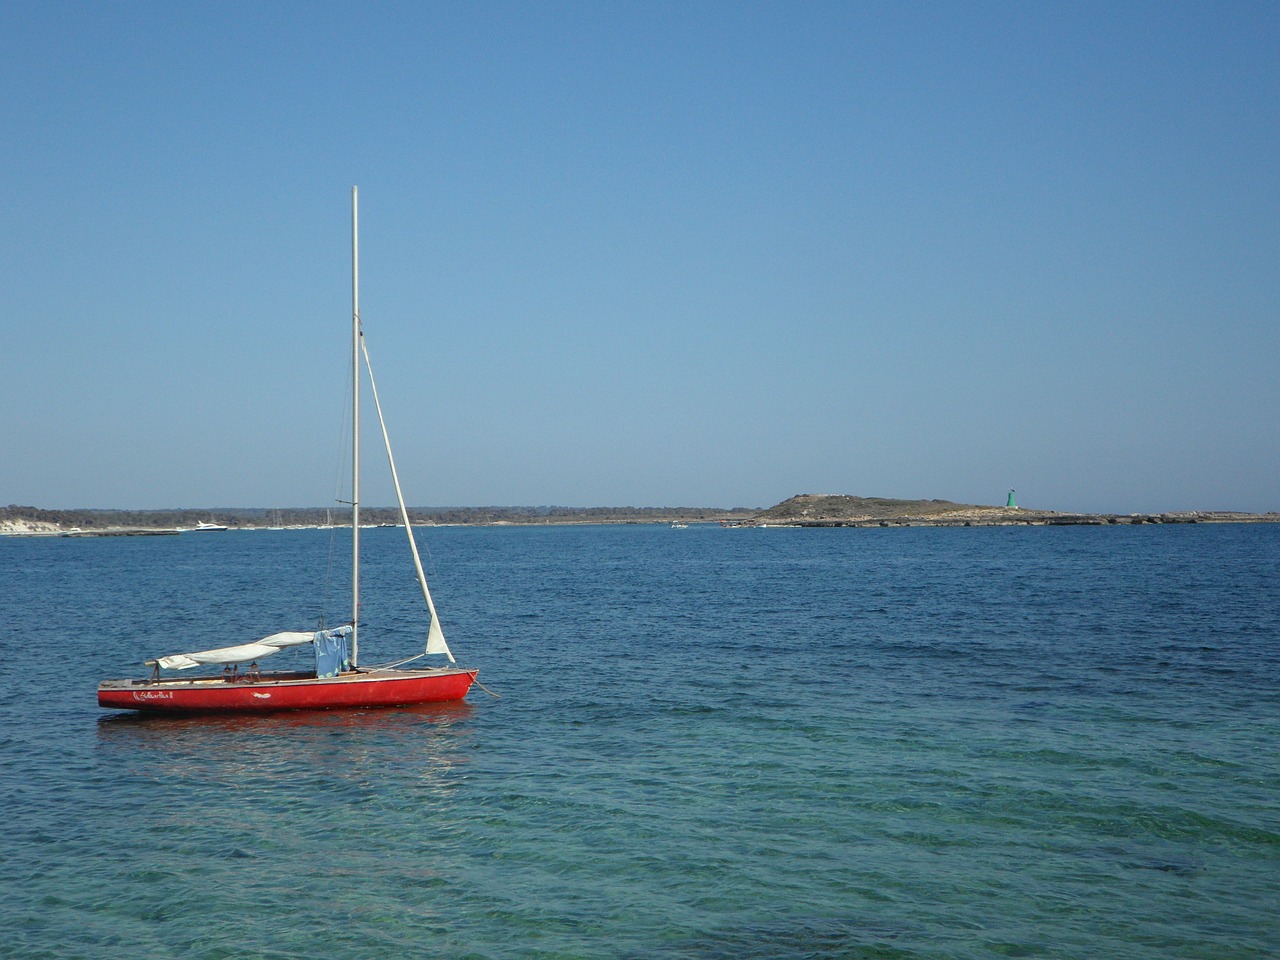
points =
(915, 743)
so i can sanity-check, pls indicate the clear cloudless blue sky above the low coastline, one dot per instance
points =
(691, 254)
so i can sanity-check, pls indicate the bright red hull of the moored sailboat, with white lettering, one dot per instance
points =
(381, 688)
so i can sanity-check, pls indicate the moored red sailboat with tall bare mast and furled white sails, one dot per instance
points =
(337, 682)
